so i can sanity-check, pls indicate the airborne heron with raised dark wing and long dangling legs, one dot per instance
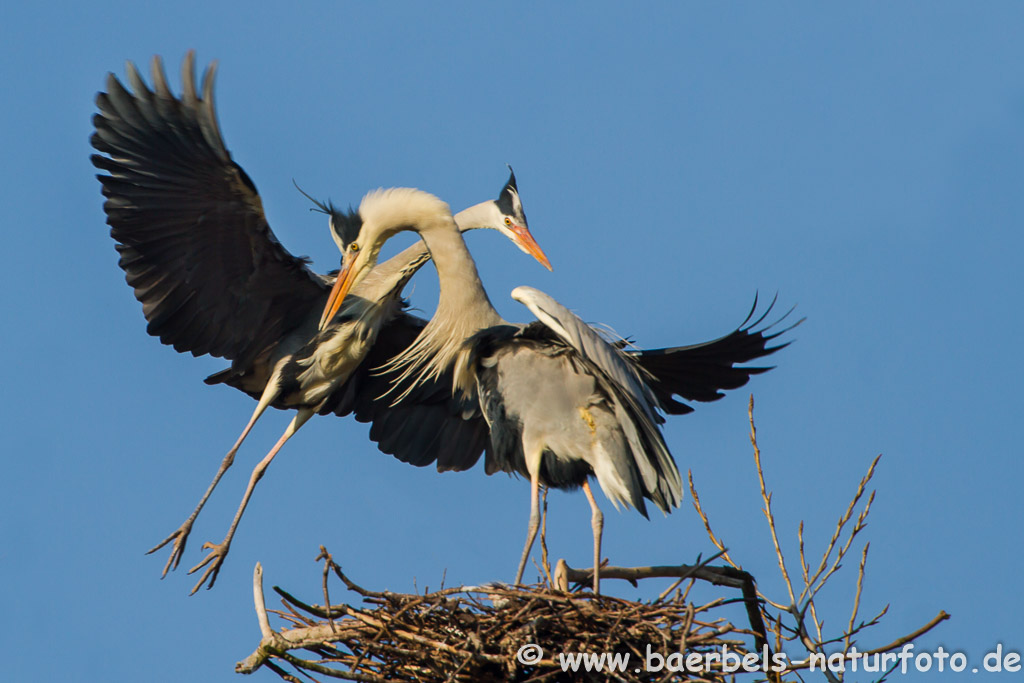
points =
(212, 279)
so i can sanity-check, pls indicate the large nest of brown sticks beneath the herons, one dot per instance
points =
(478, 634)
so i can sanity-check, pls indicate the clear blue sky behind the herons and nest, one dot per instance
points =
(674, 159)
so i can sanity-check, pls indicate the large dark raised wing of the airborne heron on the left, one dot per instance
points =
(194, 242)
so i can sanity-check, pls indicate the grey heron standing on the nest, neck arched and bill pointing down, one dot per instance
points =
(562, 403)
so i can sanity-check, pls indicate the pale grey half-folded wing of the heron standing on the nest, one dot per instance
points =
(635, 403)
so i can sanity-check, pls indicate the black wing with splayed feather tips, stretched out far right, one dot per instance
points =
(703, 372)
